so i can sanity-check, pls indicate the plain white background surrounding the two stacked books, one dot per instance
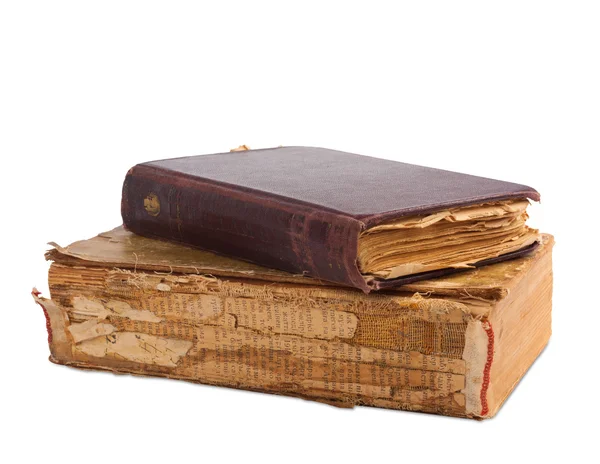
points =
(88, 89)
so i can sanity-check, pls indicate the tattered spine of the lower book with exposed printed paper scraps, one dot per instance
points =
(319, 343)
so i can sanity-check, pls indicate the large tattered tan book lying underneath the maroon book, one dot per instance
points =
(456, 345)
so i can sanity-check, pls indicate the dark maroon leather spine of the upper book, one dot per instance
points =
(246, 224)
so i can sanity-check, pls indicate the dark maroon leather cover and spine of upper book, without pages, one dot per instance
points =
(297, 209)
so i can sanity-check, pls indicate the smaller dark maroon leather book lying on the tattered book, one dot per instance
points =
(355, 220)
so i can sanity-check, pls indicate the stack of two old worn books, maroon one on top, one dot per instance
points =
(313, 273)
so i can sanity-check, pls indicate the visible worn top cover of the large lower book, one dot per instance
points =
(122, 249)
